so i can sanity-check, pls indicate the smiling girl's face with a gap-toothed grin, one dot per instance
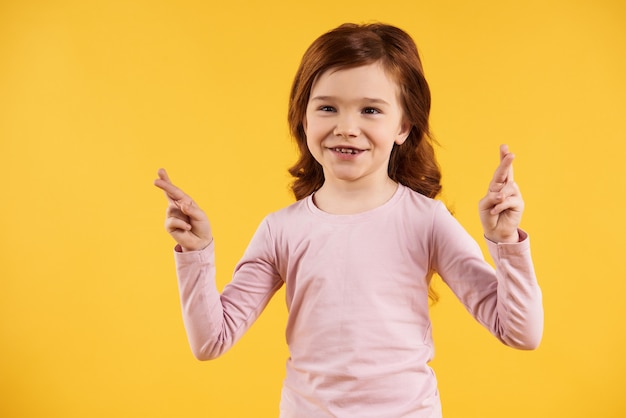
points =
(353, 119)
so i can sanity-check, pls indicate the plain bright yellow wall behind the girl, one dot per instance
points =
(96, 96)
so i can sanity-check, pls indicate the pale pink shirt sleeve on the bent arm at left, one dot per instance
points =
(214, 321)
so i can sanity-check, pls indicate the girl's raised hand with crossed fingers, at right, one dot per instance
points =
(501, 208)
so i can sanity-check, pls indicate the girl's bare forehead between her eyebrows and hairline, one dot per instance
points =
(371, 80)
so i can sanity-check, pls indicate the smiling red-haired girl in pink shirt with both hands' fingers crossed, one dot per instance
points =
(357, 250)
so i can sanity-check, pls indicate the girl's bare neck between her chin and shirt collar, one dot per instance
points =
(345, 198)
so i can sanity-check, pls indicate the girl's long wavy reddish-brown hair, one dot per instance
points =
(413, 163)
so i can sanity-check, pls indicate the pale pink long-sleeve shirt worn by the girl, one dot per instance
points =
(358, 330)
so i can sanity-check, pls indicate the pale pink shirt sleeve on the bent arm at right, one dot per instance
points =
(507, 301)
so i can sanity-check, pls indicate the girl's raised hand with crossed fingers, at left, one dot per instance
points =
(185, 221)
